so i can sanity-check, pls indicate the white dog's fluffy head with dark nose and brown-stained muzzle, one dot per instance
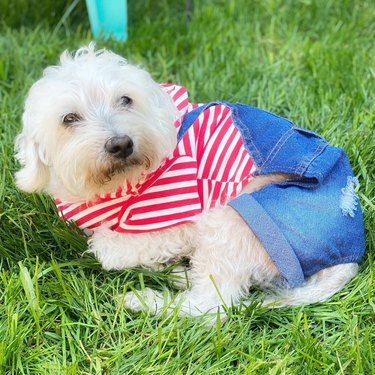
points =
(92, 124)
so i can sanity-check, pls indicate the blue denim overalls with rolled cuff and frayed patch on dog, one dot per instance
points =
(306, 224)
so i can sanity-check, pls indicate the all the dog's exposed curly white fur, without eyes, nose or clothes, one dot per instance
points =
(70, 162)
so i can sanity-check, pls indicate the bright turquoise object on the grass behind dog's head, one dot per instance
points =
(108, 18)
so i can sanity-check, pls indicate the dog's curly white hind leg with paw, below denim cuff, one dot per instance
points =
(227, 260)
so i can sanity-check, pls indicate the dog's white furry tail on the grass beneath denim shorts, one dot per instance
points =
(317, 288)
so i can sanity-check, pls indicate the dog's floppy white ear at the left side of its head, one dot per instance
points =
(34, 173)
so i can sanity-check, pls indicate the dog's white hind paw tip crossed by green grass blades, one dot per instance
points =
(145, 300)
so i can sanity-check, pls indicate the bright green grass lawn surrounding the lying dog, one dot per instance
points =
(312, 61)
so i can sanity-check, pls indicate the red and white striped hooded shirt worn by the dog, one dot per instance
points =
(208, 167)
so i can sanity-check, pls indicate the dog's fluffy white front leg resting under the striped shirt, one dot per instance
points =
(117, 251)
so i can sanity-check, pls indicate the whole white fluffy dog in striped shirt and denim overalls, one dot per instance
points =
(102, 137)
